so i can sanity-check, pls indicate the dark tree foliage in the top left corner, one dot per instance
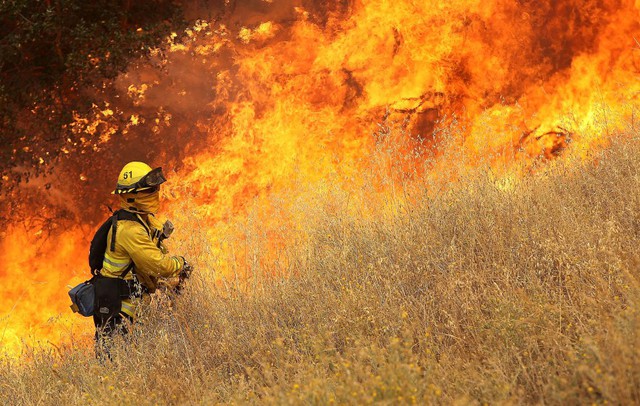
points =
(54, 56)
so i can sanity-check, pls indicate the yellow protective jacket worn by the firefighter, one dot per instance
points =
(138, 243)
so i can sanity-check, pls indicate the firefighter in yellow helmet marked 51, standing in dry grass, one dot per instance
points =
(134, 257)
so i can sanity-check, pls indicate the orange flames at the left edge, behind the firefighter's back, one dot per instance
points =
(35, 271)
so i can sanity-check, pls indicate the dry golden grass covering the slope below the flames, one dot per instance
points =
(476, 294)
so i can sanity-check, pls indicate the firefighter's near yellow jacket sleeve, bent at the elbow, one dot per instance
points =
(148, 258)
